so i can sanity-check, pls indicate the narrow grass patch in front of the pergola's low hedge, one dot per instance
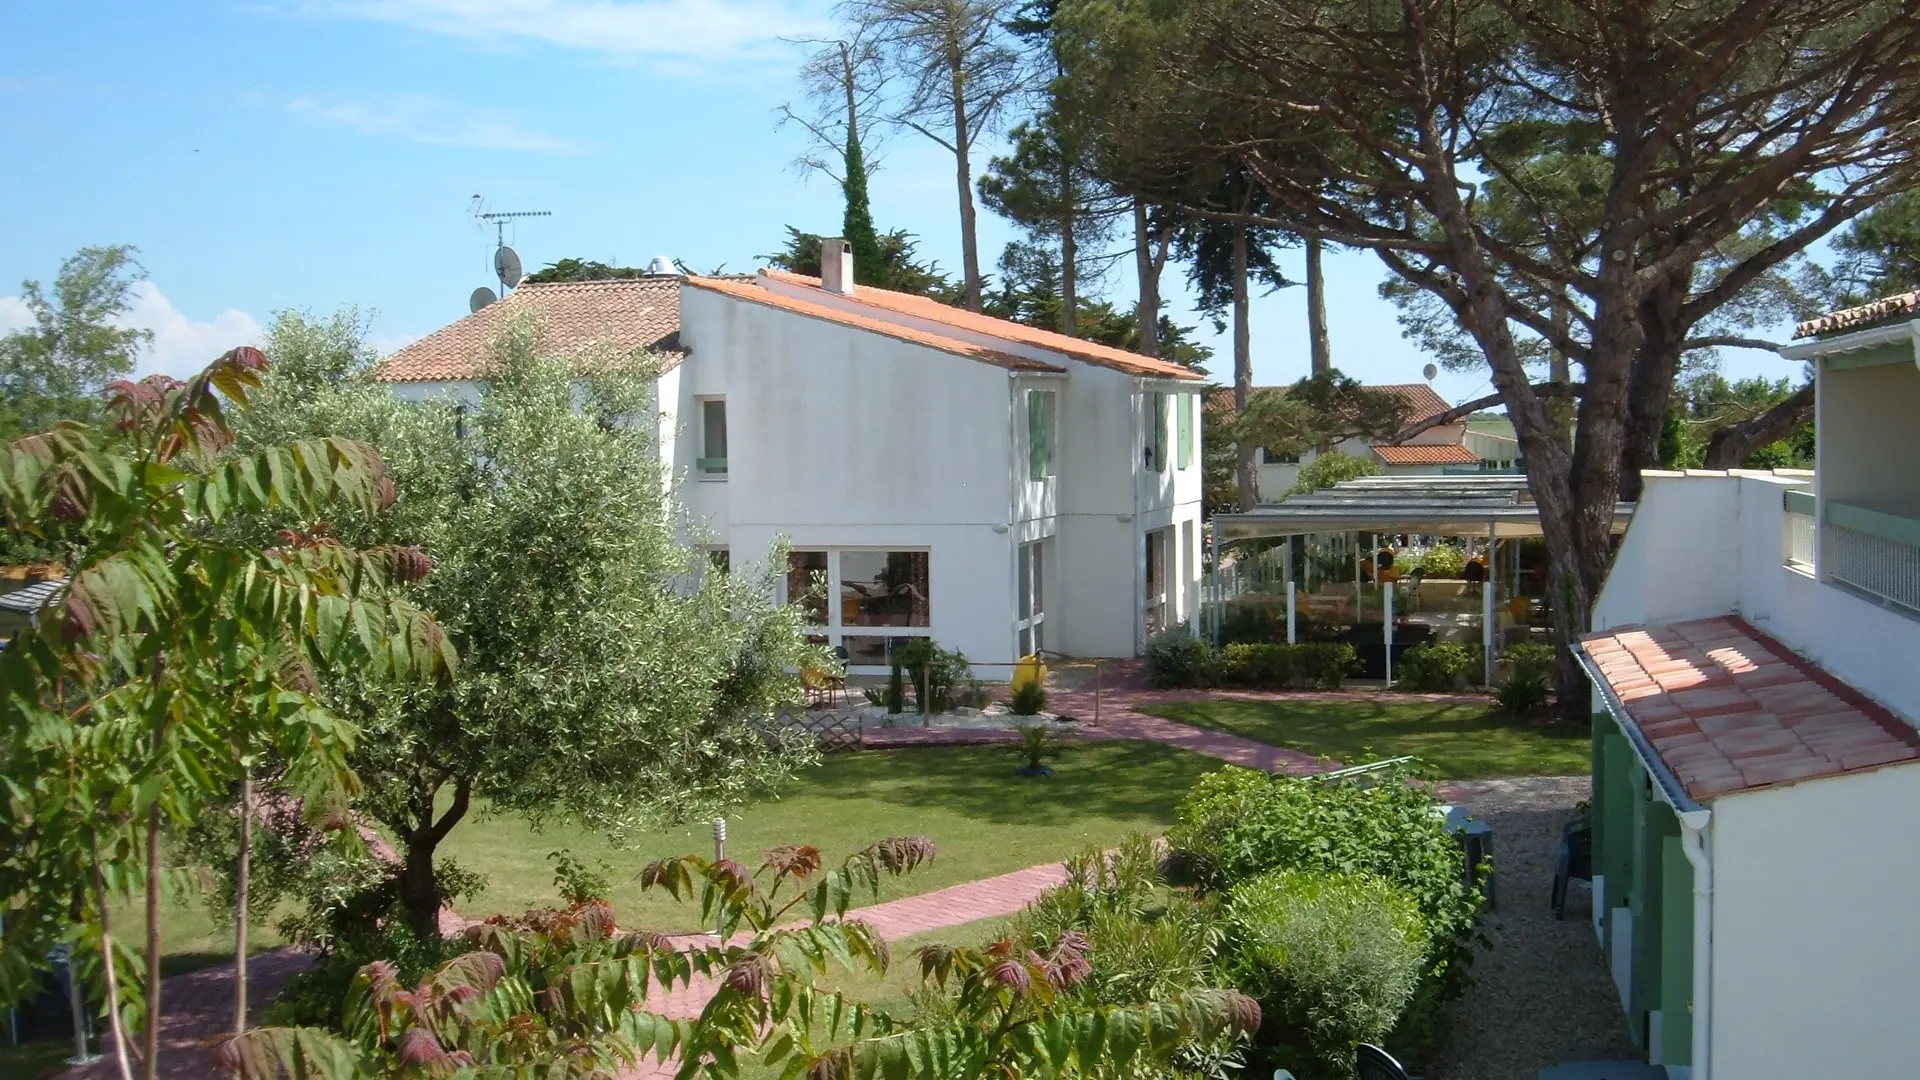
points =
(1456, 741)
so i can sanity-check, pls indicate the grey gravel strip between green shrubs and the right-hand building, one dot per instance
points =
(1543, 994)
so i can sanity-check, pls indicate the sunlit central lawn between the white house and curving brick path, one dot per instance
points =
(980, 816)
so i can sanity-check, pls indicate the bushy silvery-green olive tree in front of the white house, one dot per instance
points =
(610, 675)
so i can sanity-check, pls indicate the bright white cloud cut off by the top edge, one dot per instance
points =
(706, 30)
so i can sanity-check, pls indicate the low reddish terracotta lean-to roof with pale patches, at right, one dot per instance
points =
(1731, 710)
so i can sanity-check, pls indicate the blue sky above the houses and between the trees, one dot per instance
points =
(316, 155)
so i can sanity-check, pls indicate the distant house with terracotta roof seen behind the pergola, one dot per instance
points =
(1443, 449)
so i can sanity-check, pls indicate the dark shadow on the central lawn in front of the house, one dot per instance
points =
(1109, 779)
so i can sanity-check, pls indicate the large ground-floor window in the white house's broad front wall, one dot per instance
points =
(882, 599)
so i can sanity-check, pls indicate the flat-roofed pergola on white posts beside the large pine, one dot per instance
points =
(1495, 508)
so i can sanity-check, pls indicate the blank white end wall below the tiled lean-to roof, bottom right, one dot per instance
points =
(1815, 945)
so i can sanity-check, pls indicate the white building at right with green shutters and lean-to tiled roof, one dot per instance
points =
(1756, 681)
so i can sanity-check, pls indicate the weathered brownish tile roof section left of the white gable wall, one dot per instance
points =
(575, 316)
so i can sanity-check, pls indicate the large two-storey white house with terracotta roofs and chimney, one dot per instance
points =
(942, 474)
